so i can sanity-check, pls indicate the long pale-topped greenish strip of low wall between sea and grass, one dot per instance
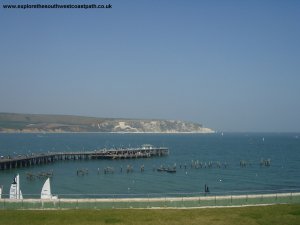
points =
(130, 201)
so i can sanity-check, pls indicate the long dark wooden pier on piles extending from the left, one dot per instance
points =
(50, 157)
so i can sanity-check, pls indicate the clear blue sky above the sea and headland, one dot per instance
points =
(229, 65)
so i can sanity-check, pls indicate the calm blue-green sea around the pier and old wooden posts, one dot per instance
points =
(227, 163)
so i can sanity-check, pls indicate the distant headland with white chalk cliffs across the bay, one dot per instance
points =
(11, 122)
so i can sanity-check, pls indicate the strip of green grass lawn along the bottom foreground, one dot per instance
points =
(275, 214)
